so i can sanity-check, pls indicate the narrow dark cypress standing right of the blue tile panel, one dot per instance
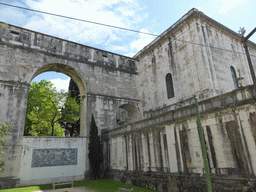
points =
(95, 150)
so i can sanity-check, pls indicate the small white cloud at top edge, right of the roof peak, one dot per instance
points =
(224, 6)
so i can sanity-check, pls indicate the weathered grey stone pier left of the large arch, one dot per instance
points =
(13, 104)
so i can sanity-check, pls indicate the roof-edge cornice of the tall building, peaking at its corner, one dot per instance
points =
(191, 14)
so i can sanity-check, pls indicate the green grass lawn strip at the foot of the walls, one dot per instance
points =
(105, 185)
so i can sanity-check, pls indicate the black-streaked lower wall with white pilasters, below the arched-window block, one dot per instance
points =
(169, 144)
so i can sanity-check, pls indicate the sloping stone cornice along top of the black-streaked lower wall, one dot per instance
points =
(232, 99)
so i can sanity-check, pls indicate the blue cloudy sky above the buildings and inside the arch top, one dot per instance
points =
(153, 16)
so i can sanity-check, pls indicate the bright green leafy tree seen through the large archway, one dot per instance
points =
(46, 110)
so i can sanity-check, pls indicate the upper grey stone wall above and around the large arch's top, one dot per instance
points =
(25, 54)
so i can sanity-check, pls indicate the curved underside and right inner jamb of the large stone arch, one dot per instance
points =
(74, 74)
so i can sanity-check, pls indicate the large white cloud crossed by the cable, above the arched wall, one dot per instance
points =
(121, 13)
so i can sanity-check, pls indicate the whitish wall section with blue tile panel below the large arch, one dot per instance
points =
(52, 159)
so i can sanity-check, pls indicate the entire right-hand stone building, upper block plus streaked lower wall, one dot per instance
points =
(162, 150)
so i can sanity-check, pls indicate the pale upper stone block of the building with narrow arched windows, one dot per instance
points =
(198, 52)
